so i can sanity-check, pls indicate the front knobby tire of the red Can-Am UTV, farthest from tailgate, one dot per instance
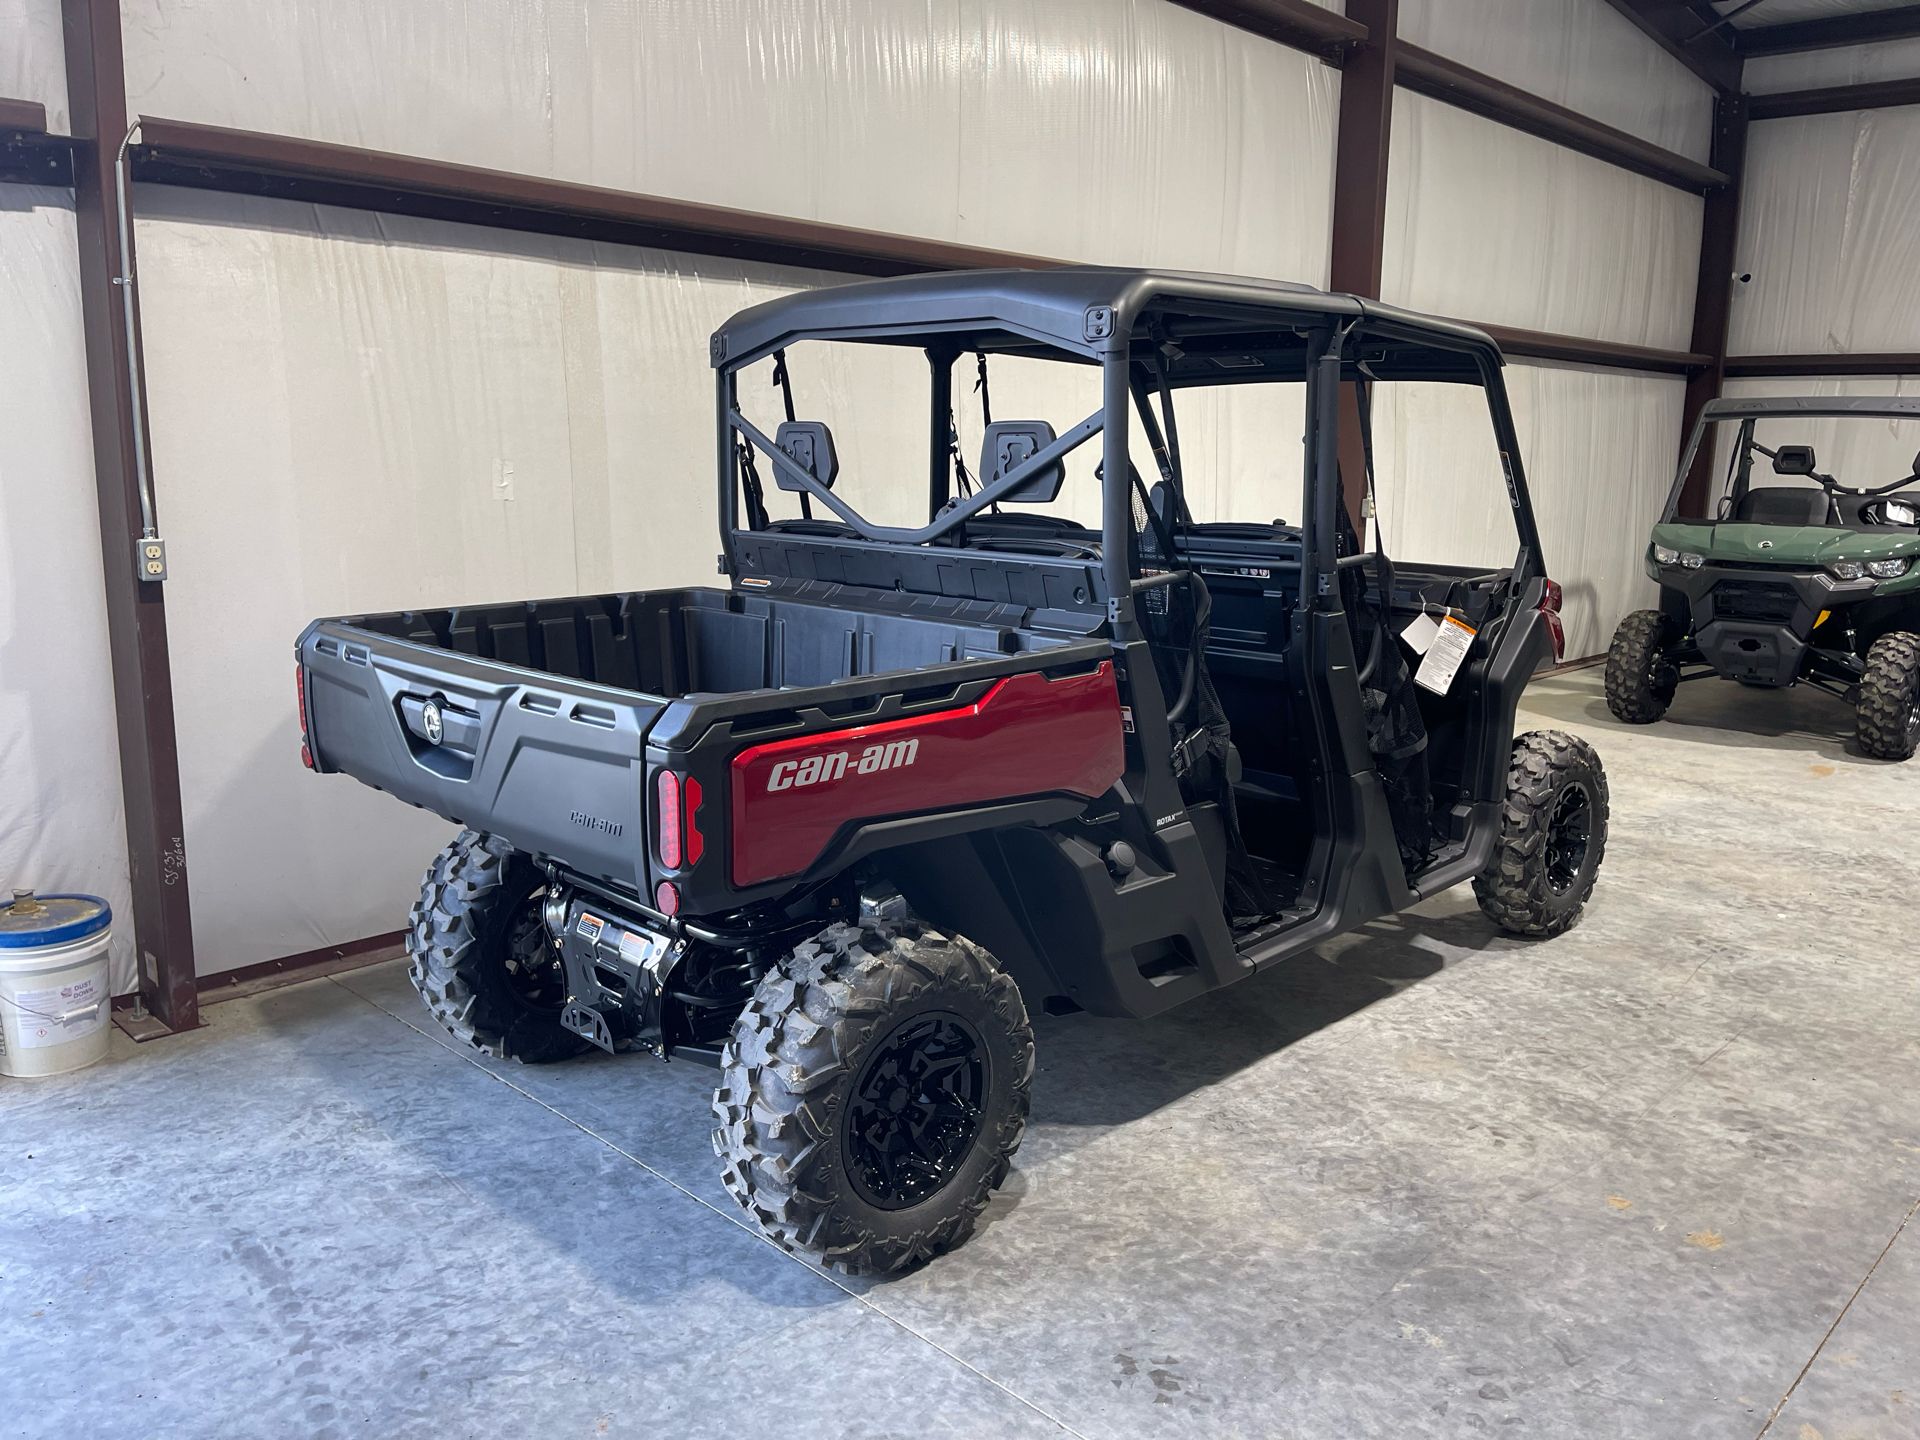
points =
(1552, 836)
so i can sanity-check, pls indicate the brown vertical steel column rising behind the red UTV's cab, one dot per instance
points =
(1360, 201)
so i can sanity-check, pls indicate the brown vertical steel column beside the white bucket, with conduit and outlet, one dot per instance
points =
(137, 612)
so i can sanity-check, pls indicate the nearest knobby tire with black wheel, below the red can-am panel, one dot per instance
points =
(875, 1093)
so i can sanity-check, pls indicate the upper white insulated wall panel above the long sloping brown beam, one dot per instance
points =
(1076, 130)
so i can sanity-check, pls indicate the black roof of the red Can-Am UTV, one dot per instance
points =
(1051, 306)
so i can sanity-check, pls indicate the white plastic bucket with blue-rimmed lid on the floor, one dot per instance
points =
(55, 994)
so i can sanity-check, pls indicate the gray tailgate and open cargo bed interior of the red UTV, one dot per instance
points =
(544, 708)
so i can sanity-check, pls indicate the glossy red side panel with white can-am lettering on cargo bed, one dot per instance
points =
(1026, 736)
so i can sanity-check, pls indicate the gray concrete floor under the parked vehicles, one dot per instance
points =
(1650, 1180)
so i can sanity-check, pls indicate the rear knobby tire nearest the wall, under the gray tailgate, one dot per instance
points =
(483, 959)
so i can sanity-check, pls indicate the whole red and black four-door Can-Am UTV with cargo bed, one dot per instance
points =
(836, 827)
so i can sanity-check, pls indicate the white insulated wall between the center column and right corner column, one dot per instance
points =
(1495, 226)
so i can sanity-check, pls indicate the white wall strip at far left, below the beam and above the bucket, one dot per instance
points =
(60, 794)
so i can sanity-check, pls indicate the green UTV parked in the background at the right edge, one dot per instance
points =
(1787, 575)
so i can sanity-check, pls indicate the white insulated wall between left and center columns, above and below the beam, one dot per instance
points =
(358, 414)
